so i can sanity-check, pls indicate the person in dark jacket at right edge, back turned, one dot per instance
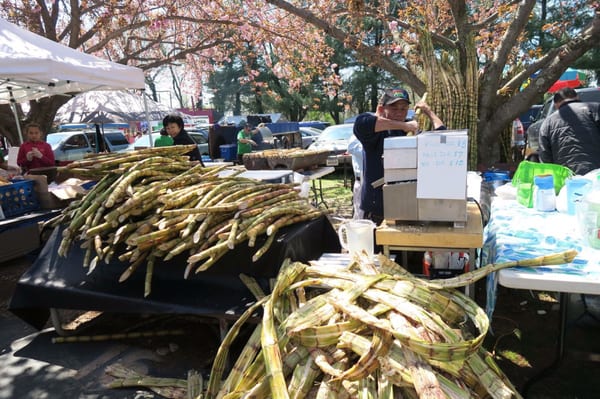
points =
(571, 135)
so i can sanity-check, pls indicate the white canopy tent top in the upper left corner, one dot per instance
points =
(32, 67)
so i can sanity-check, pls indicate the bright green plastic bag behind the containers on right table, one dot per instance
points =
(523, 179)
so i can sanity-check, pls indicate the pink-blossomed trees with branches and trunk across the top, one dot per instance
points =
(472, 56)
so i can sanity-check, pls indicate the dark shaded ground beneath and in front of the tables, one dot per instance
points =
(31, 366)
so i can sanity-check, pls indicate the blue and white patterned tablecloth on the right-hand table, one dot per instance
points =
(515, 232)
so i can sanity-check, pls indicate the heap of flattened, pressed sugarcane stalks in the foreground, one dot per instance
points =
(365, 331)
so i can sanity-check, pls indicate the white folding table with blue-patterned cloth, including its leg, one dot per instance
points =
(515, 232)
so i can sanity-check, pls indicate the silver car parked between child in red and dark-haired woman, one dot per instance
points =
(74, 145)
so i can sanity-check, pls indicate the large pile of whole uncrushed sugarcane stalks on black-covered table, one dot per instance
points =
(148, 207)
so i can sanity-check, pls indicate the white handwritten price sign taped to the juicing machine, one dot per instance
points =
(442, 164)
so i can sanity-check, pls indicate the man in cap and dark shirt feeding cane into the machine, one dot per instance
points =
(370, 129)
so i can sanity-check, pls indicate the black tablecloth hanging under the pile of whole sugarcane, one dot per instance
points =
(63, 283)
